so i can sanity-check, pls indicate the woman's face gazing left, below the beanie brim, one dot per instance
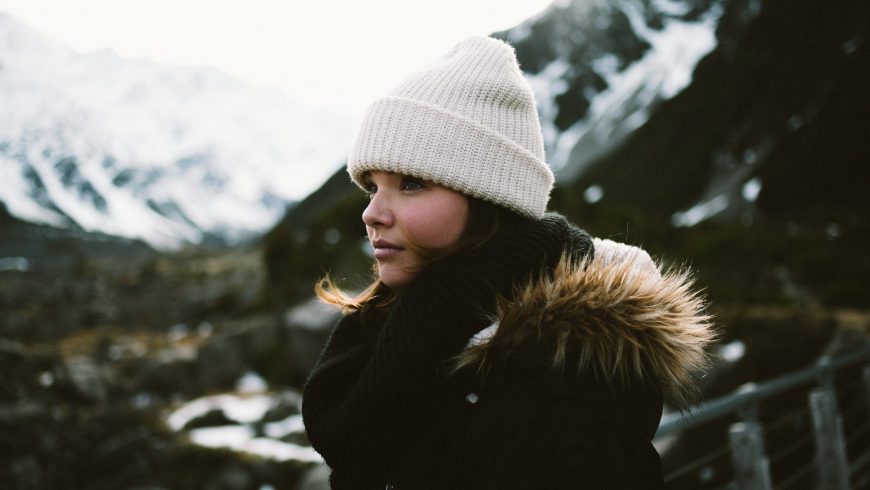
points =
(405, 213)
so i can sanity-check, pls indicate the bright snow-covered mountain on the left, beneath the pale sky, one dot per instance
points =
(133, 148)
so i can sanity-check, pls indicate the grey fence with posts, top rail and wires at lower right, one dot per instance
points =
(825, 445)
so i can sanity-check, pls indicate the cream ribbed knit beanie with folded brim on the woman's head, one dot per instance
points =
(468, 122)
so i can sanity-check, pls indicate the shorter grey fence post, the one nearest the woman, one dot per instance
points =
(751, 468)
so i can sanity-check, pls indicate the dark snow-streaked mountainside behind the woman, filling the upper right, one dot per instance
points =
(731, 133)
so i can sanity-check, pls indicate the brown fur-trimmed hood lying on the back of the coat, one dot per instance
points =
(614, 315)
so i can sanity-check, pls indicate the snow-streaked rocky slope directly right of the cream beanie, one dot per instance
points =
(616, 60)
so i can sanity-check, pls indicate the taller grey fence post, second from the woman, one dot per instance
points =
(833, 466)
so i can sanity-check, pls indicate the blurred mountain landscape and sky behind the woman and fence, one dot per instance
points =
(172, 186)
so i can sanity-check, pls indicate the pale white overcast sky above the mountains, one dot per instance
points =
(338, 53)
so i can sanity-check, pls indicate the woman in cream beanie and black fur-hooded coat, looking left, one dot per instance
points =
(500, 346)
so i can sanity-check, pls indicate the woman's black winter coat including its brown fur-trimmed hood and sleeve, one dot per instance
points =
(564, 390)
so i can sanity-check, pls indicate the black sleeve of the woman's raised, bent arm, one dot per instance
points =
(368, 395)
